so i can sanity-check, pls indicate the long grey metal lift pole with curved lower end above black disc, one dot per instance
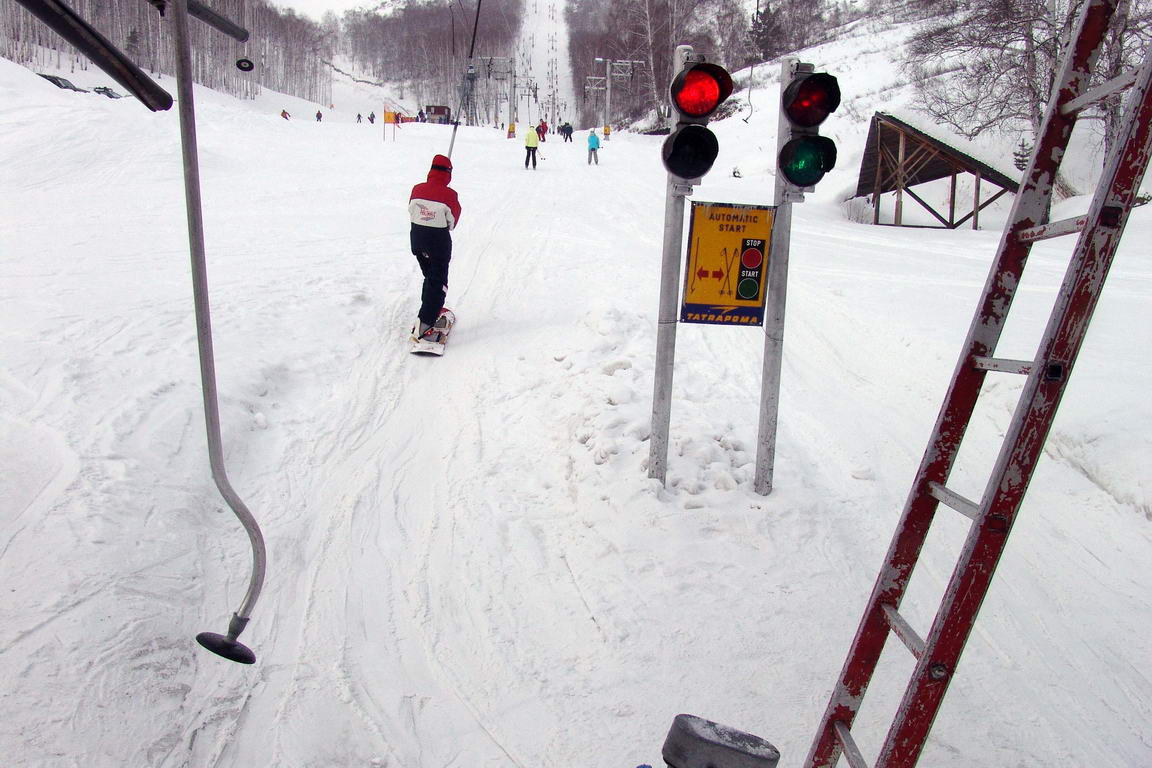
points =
(203, 318)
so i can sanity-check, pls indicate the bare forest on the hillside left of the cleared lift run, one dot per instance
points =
(415, 48)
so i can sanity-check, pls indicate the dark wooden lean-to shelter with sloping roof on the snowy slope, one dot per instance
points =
(900, 156)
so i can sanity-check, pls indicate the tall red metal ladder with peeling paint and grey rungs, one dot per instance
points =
(994, 515)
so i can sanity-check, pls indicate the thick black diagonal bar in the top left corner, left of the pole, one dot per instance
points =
(65, 22)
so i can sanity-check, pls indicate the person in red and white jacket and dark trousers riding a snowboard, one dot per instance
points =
(434, 210)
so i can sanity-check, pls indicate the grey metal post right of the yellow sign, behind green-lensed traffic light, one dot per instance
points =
(775, 315)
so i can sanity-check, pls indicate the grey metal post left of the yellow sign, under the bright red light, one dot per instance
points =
(670, 293)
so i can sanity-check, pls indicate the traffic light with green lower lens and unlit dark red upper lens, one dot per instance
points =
(805, 156)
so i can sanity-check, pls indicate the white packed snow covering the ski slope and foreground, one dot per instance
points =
(468, 565)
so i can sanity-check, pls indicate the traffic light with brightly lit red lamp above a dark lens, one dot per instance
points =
(698, 93)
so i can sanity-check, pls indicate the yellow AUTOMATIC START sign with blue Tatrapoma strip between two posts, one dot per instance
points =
(726, 276)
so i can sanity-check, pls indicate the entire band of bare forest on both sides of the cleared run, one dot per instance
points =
(979, 65)
